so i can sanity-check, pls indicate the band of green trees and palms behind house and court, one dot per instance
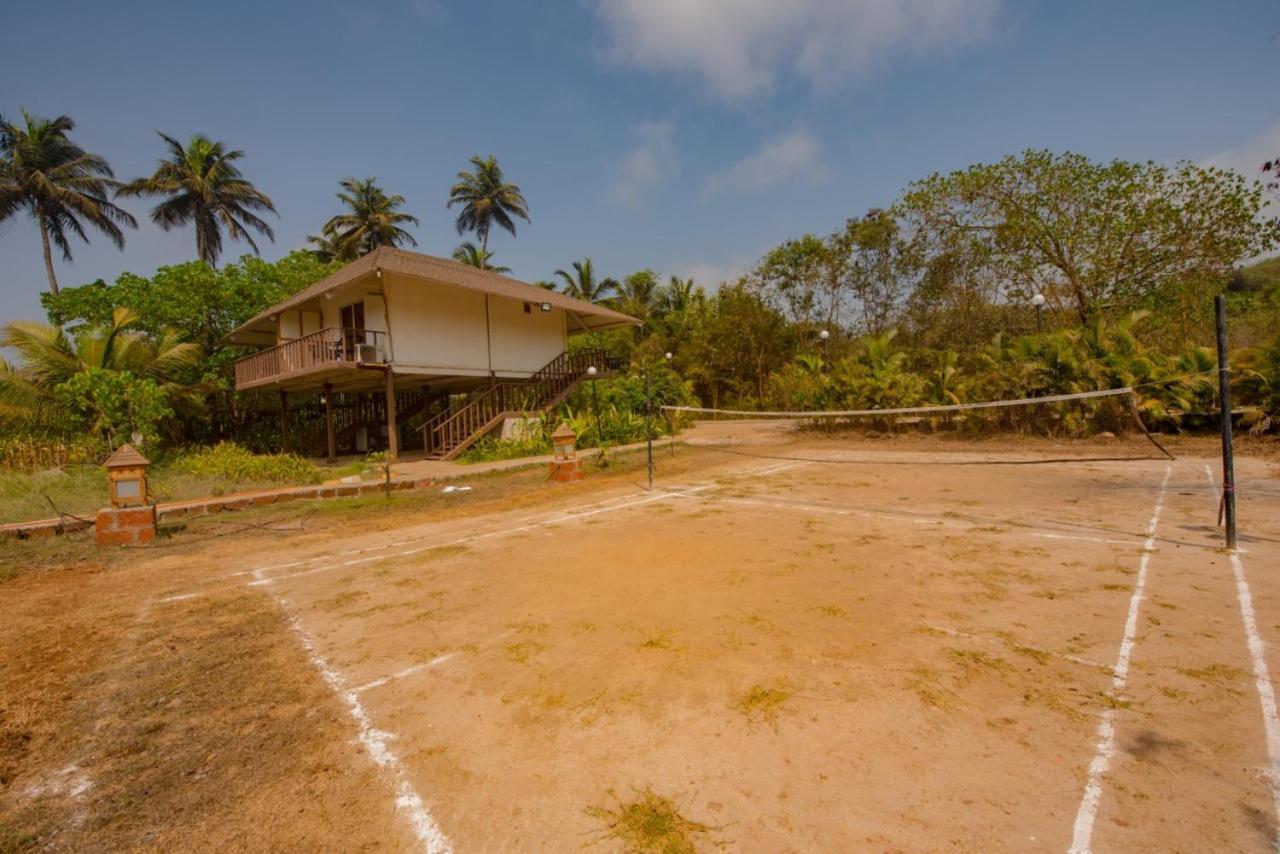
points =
(1035, 276)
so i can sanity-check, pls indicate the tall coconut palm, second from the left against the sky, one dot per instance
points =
(202, 184)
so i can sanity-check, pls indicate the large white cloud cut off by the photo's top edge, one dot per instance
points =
(740, 48)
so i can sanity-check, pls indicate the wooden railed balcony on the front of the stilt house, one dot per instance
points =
(328, 355)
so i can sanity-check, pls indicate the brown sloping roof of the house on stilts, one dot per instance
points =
(437, 270)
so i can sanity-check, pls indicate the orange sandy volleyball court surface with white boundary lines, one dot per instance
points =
(804, 647)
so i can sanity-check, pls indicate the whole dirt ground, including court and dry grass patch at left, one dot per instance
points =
(794, 643)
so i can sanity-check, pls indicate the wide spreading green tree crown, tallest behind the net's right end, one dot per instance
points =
(1094, 236)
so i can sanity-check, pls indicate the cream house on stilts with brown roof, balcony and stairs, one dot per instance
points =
(401, 350)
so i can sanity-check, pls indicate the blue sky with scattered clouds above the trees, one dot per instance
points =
(687, 136)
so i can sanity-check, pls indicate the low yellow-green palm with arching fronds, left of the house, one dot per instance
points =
(52, 357)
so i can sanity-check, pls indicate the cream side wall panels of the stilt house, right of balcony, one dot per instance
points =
(441, 330)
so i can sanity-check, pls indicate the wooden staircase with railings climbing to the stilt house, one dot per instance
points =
(460, 426)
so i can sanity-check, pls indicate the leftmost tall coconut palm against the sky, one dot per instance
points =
(61, 185)
